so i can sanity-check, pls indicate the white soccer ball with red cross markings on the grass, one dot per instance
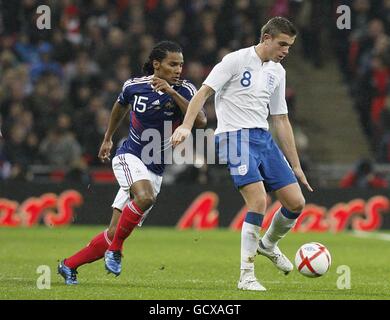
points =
(313, 259)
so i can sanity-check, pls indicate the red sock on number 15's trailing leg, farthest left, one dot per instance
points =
(93, 251)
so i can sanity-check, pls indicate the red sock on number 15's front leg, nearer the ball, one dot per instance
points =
(130, 217)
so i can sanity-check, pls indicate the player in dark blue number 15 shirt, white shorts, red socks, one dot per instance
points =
(156, 101)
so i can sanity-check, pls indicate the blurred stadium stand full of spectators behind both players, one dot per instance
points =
(57, 86)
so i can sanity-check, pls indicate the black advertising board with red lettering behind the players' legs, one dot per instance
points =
(197, 207)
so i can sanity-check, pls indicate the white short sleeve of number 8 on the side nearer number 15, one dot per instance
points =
(223, 72)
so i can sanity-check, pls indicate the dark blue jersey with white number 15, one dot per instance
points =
(150, 110)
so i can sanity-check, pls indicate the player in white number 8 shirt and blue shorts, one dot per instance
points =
(249, 84)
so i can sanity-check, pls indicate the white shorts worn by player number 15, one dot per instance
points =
(129, 169)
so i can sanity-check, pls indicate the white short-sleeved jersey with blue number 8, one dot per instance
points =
(247, 90)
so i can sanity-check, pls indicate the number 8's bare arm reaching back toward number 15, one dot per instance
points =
(195, 106)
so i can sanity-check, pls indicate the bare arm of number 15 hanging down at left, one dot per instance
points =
(117, 114)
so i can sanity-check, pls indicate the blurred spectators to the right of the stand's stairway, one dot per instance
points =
(363, 53)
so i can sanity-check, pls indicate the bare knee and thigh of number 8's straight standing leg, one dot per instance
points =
(255, 196)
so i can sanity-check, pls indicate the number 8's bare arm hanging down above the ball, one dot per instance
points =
(285, 136)
